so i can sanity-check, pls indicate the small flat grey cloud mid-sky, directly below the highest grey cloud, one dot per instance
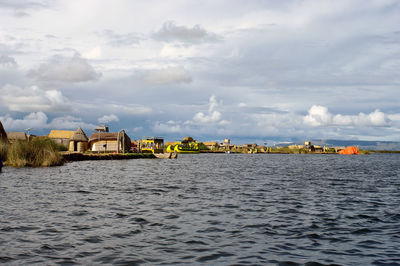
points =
(169, 75)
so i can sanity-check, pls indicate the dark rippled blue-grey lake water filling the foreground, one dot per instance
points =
(212, 209)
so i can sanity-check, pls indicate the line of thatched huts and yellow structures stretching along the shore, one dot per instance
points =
(104, 141)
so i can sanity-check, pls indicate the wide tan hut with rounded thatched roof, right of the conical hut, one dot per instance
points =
(109, 142)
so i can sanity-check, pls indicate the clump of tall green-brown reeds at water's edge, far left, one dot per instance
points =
(37, 152)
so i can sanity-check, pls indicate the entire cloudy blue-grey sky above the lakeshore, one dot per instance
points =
(248, 70)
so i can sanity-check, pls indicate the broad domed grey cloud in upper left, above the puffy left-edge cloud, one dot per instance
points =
(61, 69)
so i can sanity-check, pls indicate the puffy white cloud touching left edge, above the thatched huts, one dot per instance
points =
(32, 99)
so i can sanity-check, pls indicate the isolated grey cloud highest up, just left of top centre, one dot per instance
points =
(170, 32)
